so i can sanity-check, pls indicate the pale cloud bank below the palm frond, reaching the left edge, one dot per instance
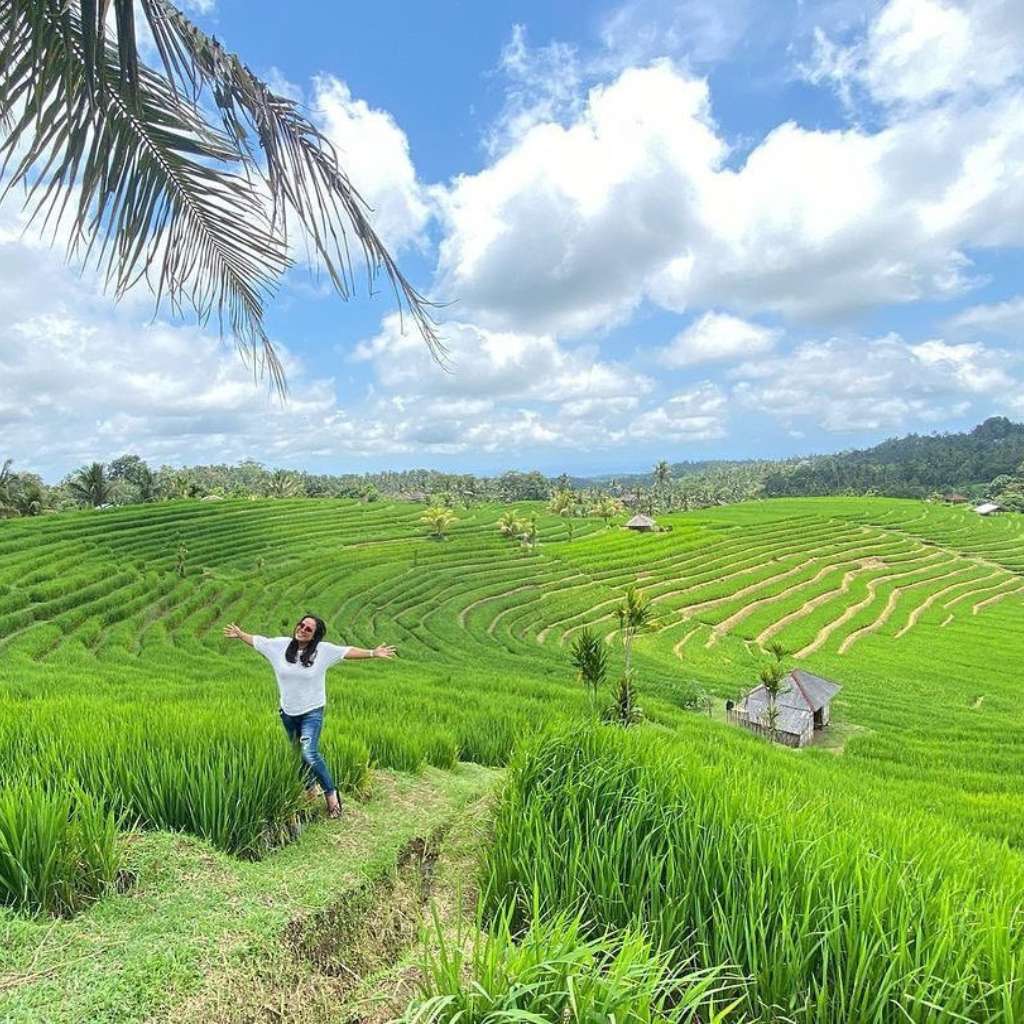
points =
(82, 378)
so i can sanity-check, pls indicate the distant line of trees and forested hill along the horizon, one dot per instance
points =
(985, 463)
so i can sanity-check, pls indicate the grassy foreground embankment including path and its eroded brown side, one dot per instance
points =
(205, 936)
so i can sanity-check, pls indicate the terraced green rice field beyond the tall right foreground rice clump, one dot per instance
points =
(115, 678)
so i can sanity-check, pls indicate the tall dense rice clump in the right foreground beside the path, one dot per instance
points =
(839, 917)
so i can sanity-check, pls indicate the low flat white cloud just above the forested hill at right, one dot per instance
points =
(884, 383)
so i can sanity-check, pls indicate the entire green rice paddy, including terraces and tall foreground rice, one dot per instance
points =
(877, 876)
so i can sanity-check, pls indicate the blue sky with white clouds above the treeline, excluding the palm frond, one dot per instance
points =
(661, 230)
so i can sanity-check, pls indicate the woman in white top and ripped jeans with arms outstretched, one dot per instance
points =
(301, 665)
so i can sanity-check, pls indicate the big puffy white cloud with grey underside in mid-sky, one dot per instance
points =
(561, 233)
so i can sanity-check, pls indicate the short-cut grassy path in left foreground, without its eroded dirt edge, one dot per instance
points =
(196, 915)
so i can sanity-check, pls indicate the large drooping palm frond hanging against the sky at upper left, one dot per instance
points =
(187, 174)
